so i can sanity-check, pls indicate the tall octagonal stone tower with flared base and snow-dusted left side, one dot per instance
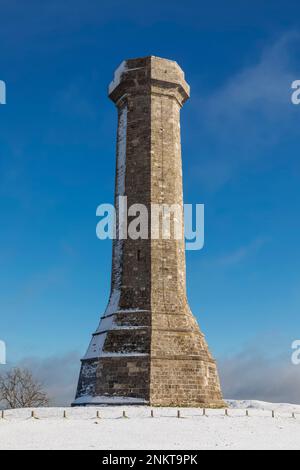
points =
(148, 348)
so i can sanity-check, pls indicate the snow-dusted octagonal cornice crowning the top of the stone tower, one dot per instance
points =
(138, 75)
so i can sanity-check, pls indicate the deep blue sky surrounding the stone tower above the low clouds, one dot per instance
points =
(240, 138)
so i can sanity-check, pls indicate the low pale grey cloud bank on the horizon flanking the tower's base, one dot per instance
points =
(253, 374)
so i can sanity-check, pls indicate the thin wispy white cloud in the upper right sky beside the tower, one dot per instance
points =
(242, 121)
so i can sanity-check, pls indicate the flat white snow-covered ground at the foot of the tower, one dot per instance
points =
(82, 430)
